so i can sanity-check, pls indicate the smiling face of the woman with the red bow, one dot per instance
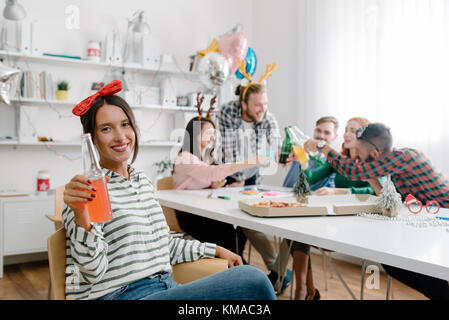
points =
(114, 136)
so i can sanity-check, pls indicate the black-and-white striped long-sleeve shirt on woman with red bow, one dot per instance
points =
(133, 245)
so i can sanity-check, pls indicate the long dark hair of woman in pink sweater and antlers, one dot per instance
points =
(191, 137)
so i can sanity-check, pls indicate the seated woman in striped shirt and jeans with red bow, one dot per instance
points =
(130, 256)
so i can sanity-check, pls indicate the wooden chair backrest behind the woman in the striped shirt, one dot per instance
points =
(56, 245)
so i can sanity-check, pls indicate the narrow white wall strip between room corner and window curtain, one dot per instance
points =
(275, 39)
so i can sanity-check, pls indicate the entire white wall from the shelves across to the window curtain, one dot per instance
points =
(184, 27)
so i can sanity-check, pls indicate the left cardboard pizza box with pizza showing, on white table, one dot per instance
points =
(246, 205)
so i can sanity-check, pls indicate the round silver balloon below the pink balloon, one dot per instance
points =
(213, 69)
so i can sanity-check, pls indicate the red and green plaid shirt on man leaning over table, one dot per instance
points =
(411, 172)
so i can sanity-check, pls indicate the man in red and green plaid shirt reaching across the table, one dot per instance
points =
(411, 172)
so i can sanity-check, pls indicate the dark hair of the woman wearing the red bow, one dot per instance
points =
(88, 120)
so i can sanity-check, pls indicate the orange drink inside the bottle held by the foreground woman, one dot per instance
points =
(100, 207)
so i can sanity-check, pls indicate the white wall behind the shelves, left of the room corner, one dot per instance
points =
(184, 27)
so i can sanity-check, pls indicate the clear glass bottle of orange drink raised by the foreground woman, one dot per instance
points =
(100, 207)
